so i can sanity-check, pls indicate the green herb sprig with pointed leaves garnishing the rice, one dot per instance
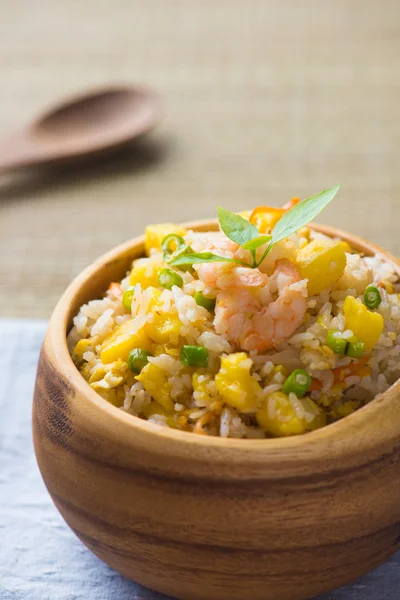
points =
(244, 233)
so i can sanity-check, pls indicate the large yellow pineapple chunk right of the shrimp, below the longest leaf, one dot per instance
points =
(322, 262)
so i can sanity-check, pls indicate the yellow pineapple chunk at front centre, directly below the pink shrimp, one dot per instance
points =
(235, 384)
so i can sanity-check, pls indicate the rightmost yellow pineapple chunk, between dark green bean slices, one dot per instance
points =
(366, 325)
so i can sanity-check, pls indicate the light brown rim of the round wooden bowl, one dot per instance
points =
(58, 327)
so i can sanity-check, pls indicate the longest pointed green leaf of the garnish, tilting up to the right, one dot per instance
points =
(301, 214)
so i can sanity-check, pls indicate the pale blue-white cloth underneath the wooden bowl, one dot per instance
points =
(40, 558)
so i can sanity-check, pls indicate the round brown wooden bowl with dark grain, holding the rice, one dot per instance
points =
(200, 517)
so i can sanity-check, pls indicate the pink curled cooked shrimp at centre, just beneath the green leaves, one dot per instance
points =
(253, 320)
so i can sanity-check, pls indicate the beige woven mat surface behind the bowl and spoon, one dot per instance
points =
(265, 99)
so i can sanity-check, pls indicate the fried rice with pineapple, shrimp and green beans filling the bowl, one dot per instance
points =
(255, 329)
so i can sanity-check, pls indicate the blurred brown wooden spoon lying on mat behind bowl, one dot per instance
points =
(82, 125)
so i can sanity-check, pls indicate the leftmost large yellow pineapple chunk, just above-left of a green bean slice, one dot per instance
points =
(121, 341)
